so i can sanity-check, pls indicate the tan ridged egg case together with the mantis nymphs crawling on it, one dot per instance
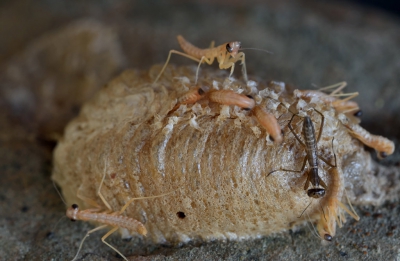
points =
(221, 159)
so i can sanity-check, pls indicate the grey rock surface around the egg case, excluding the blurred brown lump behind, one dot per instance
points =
(321, 43)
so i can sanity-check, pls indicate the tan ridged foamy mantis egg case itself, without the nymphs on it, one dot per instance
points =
(215, 157)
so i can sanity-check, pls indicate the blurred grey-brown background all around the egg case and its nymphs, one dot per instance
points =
(54, 55)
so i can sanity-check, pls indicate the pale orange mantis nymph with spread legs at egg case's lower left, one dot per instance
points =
(114, 219)
